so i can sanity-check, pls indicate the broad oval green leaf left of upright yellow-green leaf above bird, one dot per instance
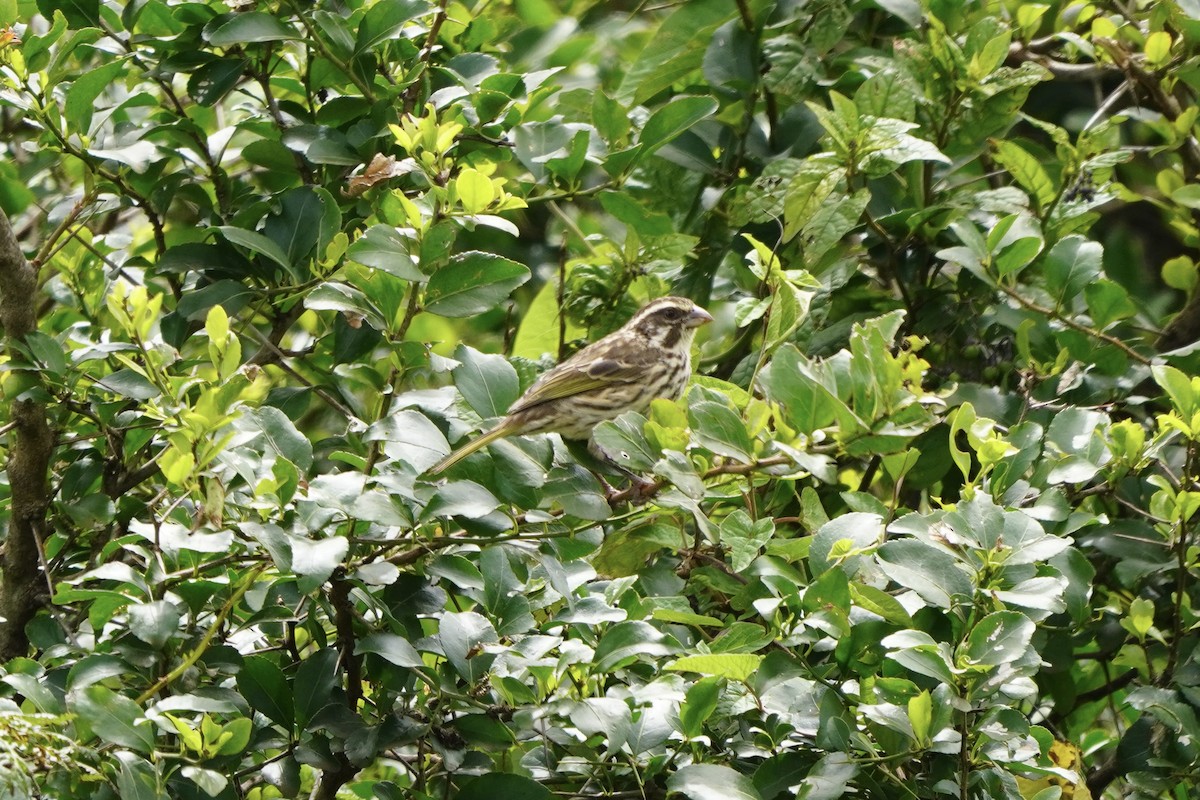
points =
(472, 284)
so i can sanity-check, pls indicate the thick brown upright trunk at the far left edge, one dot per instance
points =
(22, 591)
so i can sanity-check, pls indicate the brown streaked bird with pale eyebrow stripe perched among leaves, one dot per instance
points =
(649, 358)
